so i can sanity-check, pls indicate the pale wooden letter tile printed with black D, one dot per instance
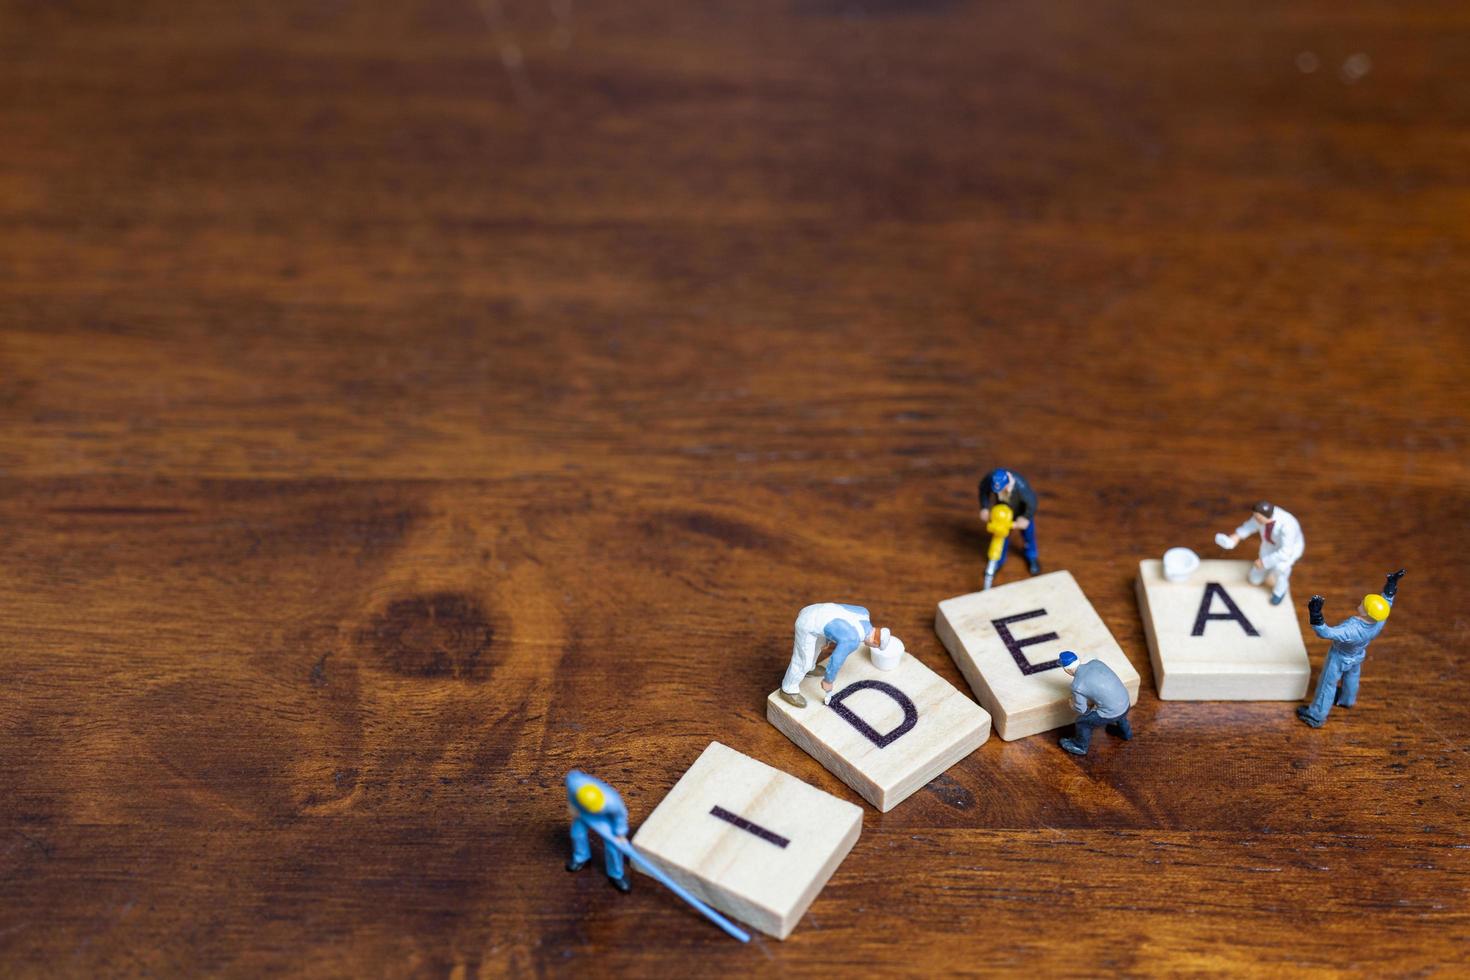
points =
(887, 732)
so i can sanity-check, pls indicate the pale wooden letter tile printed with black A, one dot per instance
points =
(1219, 638)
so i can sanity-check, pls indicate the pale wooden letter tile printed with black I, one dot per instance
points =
(749, 840)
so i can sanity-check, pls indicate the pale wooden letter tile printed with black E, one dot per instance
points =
(1006, 643)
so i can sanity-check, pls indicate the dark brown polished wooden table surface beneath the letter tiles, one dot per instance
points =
(404, 406)
